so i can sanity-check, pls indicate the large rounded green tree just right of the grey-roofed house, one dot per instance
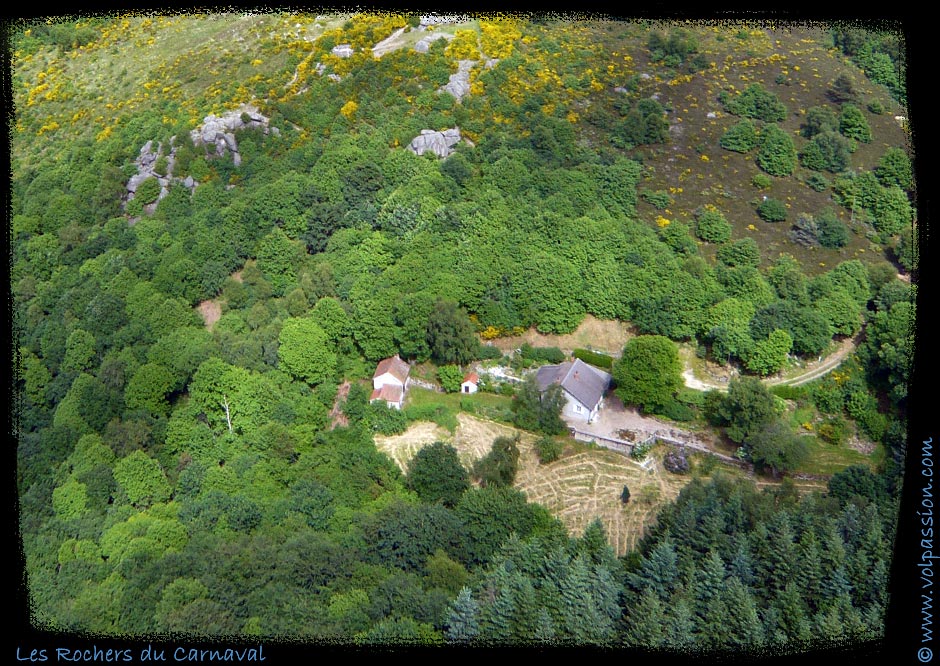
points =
(649, 373)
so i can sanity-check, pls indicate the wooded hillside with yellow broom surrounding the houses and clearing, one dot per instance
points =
(197, 324)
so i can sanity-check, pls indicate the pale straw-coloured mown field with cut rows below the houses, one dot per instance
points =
(576, 489)
